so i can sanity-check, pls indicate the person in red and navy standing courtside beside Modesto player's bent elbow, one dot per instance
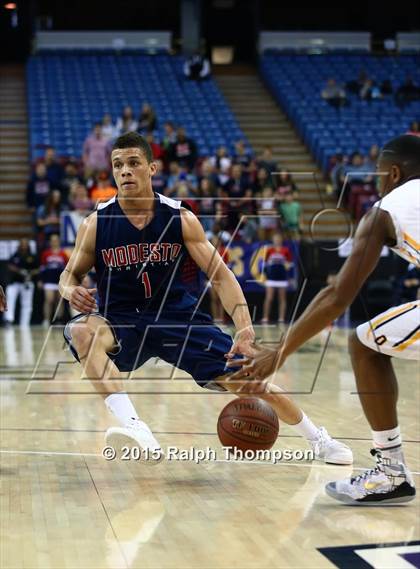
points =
(53, 262)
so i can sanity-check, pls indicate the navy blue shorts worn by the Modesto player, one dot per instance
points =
(191, 343)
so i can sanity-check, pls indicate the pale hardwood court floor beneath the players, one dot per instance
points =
(64, 506)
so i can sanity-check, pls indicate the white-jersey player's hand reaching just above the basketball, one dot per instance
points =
(263, 363)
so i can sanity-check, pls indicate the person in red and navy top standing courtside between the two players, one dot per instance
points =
(277, 261)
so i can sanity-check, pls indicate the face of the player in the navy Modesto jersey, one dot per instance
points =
(132, 171)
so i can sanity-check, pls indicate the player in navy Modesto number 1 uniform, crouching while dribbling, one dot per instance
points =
(138, 242)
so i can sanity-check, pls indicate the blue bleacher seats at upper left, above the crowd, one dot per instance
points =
(67, 94)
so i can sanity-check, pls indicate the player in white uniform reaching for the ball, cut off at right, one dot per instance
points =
(395, 222)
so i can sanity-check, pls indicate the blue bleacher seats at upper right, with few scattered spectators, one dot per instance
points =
(297, 80)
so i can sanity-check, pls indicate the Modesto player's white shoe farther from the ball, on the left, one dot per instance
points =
(125, 441)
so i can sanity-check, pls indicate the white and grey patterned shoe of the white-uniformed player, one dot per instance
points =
(390, 482)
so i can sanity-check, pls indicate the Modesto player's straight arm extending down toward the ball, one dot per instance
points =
(221, 277)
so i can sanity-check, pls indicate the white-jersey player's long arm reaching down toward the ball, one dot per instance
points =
(375, 231)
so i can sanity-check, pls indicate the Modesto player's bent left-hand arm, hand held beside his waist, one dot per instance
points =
(81, 261)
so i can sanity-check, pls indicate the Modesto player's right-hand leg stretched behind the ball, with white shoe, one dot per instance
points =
(325, 448)
